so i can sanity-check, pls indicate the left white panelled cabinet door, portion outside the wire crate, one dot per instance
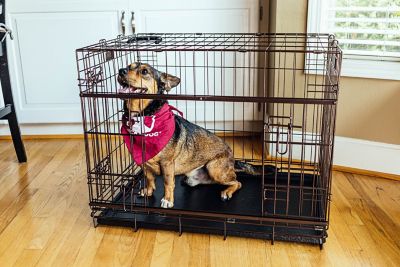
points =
(42, 54)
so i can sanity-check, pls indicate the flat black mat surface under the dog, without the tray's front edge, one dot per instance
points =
(298, 197)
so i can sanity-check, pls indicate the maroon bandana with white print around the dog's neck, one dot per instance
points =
(149, 134)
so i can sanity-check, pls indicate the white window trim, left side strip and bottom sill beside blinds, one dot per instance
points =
(362, 66)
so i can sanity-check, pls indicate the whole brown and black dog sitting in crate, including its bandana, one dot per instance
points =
(201, 156)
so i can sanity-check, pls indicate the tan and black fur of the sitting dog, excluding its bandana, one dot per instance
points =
(192, 150)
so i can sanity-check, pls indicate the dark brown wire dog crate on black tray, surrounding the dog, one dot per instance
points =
(270, 97)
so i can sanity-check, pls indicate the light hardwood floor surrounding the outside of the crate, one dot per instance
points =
(45, 221)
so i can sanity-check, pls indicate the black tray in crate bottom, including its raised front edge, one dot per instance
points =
(246, 201)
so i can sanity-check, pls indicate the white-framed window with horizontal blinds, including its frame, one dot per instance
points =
(368, 32)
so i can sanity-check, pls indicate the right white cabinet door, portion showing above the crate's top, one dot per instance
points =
(196, 16)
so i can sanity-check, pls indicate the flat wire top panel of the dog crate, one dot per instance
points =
(233, 42)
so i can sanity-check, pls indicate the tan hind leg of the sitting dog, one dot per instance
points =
(222, 171)
